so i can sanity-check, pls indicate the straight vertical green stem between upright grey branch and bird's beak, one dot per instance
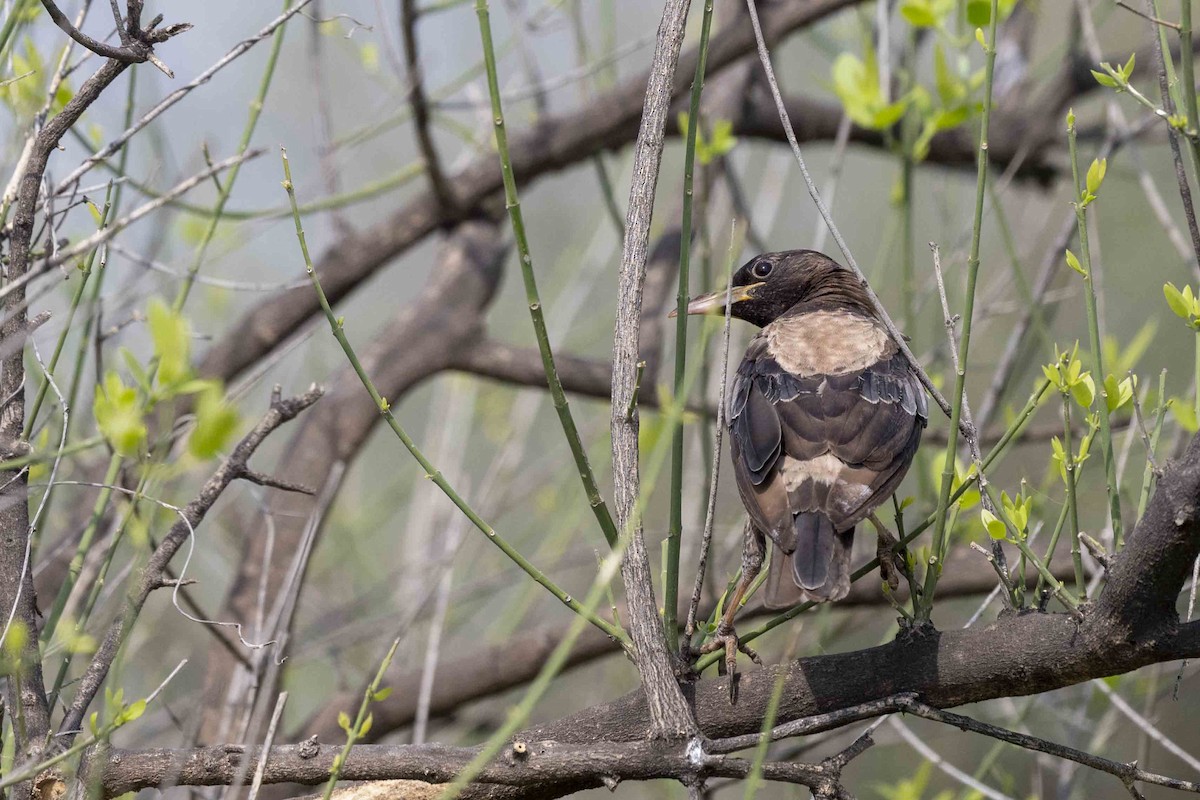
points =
(675, 522)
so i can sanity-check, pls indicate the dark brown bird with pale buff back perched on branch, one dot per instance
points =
(825, 417)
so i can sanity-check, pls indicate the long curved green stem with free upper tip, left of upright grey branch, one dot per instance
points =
(431, 472)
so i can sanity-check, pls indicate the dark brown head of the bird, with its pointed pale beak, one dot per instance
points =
(769, 286)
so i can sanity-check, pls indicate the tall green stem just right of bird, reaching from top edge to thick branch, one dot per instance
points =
(938, 555)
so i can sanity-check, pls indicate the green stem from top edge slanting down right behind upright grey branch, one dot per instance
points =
(536, 312)
